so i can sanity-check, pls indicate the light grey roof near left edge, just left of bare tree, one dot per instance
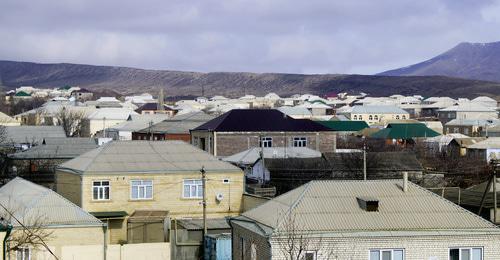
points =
(32, 134)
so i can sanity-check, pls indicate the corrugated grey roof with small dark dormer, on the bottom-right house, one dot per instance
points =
(331, 206)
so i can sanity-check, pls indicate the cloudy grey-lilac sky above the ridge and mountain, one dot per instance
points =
(288, 36)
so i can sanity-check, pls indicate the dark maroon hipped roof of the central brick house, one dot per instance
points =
(255, 120)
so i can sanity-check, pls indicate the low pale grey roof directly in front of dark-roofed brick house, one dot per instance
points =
(251, 155)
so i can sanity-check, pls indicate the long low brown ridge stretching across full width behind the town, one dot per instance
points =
(177, 83)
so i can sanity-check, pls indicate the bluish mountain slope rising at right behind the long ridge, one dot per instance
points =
(467, 60)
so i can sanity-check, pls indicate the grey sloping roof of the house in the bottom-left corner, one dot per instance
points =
(31, 202)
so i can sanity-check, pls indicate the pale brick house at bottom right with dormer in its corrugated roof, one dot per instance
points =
(360, 220)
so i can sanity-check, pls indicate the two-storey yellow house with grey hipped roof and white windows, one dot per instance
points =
(137, 187)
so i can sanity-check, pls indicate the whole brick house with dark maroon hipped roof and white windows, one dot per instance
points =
(241, 129)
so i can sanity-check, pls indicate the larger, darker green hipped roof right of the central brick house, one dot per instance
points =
(405, 131)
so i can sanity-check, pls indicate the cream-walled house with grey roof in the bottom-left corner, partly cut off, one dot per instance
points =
(62, 225)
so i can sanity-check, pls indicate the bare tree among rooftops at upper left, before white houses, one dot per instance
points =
(71, 121)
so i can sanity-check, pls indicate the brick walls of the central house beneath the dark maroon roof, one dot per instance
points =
(231, 143)
